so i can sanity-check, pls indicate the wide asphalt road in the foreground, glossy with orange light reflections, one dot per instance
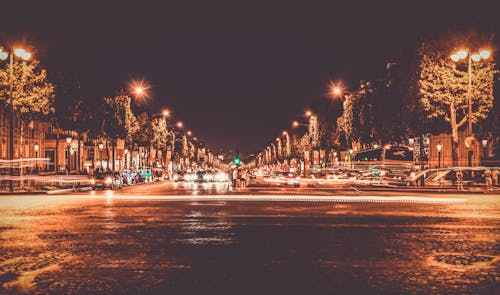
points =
(160, 238)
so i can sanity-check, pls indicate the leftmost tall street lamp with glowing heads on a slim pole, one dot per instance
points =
(24, 55)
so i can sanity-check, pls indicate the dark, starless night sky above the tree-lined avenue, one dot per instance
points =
(235, 72)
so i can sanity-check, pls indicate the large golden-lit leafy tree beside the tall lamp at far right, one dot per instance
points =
(443, 89)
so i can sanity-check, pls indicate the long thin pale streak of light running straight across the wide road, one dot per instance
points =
(303, 198)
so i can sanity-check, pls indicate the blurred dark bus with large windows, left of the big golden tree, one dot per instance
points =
(390, 160)
